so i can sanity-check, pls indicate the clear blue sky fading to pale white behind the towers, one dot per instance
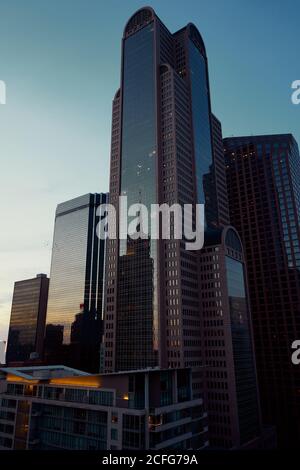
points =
(60, 60)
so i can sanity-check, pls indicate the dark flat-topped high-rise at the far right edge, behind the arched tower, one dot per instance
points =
(263, 176)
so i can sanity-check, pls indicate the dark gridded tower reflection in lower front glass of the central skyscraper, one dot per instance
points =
(135, 307)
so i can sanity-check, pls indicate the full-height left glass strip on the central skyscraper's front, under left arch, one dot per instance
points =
(137, 335)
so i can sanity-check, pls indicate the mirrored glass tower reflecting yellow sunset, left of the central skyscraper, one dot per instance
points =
(74, 312)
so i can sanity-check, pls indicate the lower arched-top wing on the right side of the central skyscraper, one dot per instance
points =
(230, 382)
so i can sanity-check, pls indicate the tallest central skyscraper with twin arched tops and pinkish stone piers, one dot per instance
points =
(161, 152)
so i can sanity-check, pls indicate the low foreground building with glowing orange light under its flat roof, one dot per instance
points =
(55, 407)
